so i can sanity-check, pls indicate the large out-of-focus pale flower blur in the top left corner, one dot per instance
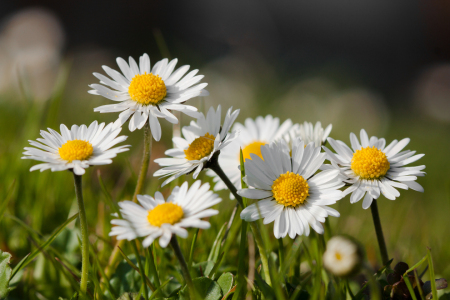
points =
(31, 41)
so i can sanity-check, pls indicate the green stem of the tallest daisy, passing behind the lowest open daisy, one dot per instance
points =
(115, 255)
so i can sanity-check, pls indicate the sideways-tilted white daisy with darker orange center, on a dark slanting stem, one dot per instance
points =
(202, 139)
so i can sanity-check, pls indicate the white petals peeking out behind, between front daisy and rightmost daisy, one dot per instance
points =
(309, 133)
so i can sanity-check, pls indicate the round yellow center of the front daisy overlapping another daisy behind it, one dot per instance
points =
(290, 189)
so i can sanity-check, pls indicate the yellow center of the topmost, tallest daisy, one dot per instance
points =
(147, 89)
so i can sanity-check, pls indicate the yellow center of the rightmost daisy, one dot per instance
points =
(370, 163)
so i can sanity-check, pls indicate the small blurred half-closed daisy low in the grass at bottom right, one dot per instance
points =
(342, 257)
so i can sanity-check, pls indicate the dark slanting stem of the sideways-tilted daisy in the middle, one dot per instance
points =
(256, 233)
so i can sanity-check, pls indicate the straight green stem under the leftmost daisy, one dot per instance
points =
(84, 236)
